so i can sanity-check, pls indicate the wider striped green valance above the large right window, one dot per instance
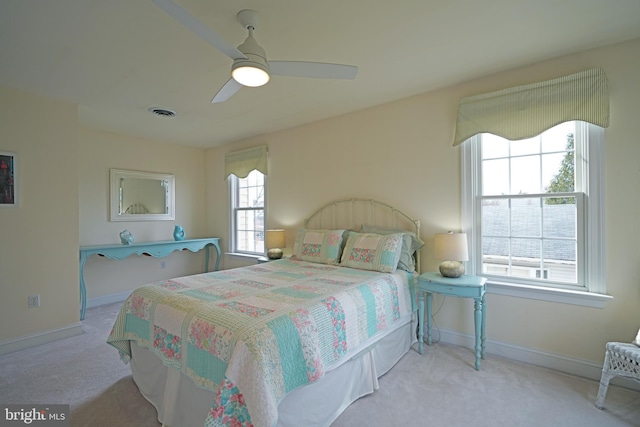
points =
(526, 111)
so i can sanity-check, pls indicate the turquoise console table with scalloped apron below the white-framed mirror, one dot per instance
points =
(154, 249)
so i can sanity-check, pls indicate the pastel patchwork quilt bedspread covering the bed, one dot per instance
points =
(253, 334)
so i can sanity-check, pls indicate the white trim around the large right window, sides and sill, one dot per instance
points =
(594, 226)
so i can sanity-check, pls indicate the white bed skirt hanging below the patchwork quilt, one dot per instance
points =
(181, 404)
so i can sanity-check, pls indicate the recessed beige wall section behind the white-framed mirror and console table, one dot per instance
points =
(99, 152)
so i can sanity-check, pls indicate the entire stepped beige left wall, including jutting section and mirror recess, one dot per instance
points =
(64, 184)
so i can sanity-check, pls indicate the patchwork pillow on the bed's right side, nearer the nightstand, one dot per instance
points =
(369, 251)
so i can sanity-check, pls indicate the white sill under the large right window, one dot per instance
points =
(563, 296)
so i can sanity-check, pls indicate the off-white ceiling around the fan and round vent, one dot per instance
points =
(118, 58)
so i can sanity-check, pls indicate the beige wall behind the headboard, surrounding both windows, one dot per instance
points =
(401, 153)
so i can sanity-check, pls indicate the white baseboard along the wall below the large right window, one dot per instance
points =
(577, 367)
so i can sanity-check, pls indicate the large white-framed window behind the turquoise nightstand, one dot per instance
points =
(533, 208)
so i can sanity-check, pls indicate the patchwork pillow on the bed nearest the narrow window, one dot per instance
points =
(320, 246)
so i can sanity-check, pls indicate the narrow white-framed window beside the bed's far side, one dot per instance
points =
(247, 213)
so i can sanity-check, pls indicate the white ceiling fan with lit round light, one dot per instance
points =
(250, 66)
